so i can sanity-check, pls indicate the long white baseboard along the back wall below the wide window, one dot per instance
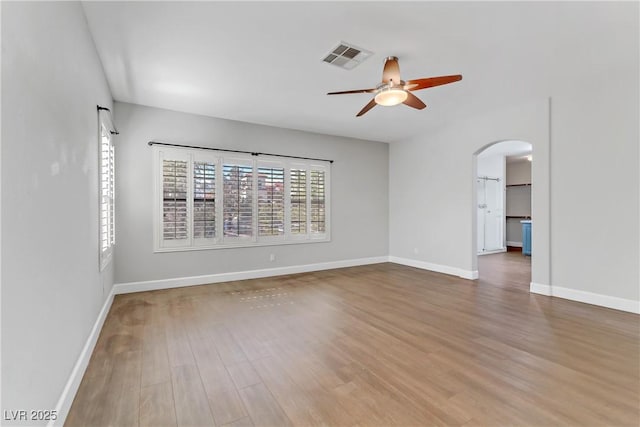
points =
(150, 285)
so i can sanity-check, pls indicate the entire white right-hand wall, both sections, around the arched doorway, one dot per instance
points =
(585, 192)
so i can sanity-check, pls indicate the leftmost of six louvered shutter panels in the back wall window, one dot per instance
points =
(174, 200)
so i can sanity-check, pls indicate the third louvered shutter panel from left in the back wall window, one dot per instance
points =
(237, 200)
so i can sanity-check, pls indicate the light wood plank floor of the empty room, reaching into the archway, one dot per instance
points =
(375, 345)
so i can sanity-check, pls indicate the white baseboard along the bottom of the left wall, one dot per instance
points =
(73, 383)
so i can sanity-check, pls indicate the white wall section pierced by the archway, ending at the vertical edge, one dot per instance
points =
(439, 171)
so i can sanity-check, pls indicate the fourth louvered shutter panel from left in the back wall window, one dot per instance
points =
(270, 201)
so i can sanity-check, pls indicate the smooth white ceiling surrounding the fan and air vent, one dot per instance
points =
(261, 62)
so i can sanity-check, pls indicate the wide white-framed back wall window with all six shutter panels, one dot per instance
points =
(210, 200)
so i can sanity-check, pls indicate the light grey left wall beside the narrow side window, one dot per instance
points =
(52, 289)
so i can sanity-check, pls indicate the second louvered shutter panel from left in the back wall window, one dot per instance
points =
(204, 200)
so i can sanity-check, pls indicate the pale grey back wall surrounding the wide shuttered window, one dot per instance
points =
(359, 194)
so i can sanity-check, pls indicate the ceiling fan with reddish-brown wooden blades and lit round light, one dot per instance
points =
(394, 91)
